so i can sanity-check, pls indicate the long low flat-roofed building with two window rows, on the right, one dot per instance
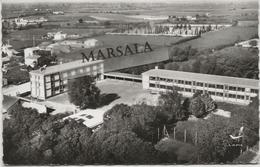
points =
(221, 88)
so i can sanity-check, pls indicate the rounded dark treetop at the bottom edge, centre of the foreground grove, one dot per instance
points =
(126, 148)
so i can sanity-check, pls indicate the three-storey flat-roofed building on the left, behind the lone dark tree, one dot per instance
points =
(53, 80)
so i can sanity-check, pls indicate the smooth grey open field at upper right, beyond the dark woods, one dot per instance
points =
(226, 37)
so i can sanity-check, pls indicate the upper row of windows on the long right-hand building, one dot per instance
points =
(201, 84)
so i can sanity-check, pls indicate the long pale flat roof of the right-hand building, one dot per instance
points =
(243, 82)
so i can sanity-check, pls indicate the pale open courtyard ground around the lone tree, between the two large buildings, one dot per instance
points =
(128, 92)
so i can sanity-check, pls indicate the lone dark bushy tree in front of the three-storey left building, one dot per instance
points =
(83, 92)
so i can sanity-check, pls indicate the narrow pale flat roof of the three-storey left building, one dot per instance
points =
(65, 67)
